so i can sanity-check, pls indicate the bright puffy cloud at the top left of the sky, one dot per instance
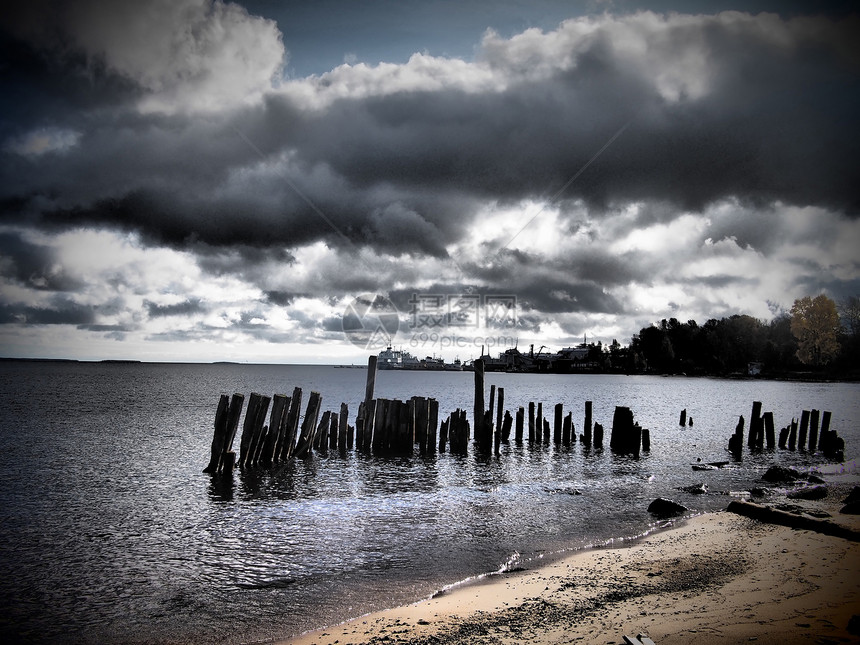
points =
(184, 56)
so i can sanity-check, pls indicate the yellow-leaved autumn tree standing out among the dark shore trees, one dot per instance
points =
(815, 325)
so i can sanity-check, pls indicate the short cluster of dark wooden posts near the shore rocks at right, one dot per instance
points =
(802, 435)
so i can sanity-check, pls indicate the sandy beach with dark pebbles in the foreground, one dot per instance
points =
(716, 578)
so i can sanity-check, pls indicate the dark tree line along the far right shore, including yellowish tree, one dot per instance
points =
(817, 335)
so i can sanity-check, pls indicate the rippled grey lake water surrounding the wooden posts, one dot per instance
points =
(110, 532)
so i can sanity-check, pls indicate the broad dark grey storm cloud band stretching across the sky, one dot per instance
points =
(402, 171)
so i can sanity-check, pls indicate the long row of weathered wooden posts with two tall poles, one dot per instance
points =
(385, 426)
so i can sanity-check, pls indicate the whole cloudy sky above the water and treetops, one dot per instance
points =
(306, 182)
